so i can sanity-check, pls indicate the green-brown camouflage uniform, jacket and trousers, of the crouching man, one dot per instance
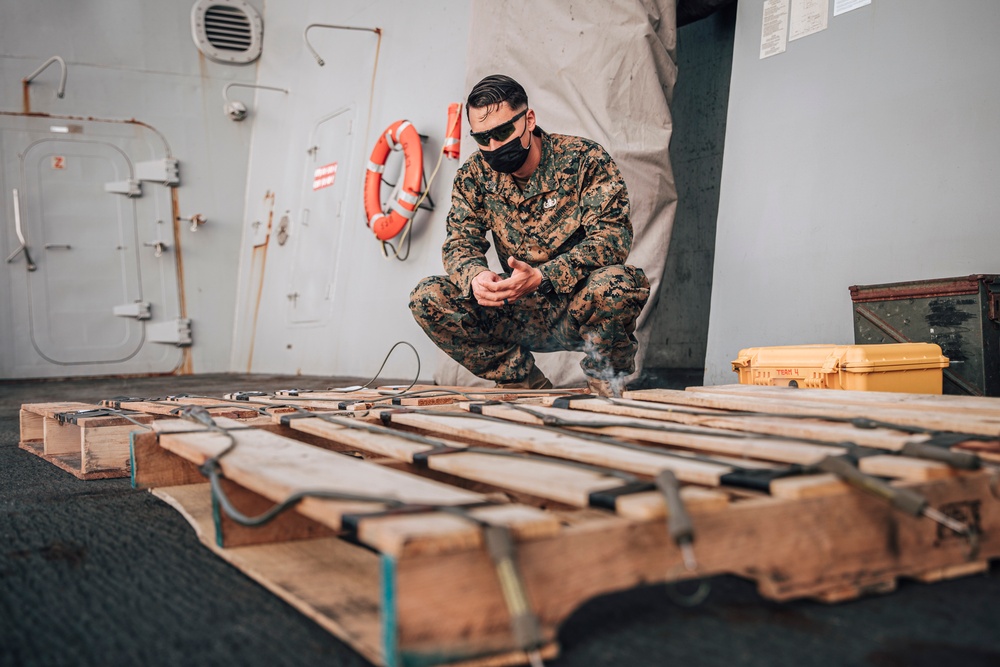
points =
(572, 223)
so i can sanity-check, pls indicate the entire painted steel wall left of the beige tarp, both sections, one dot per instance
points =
(138, 61)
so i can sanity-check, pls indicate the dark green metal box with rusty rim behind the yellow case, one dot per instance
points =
(961, 315)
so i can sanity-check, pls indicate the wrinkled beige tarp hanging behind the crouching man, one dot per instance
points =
(601, 69)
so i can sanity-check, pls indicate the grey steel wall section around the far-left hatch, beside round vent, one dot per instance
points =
(138, 61)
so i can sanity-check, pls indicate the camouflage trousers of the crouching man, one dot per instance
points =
(598, 317)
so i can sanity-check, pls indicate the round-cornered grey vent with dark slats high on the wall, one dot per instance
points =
(227, 31)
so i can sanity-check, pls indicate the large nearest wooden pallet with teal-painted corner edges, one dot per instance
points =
(416, 586)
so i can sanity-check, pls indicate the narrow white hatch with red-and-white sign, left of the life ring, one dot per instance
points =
(328, 179)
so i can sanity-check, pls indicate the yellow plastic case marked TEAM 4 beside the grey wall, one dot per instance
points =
(904, 367)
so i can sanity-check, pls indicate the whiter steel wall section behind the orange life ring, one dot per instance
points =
(354, 305)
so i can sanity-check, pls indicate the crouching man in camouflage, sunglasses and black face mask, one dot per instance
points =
(558, 211)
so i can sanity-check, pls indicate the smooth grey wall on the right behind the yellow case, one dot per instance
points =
(866, 153)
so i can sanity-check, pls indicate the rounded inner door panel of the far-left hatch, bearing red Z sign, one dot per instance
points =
(84, 241)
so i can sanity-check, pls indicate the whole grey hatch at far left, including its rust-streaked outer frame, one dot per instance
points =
(95, 234)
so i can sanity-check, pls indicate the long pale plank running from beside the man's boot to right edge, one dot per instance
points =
(937, 422)
